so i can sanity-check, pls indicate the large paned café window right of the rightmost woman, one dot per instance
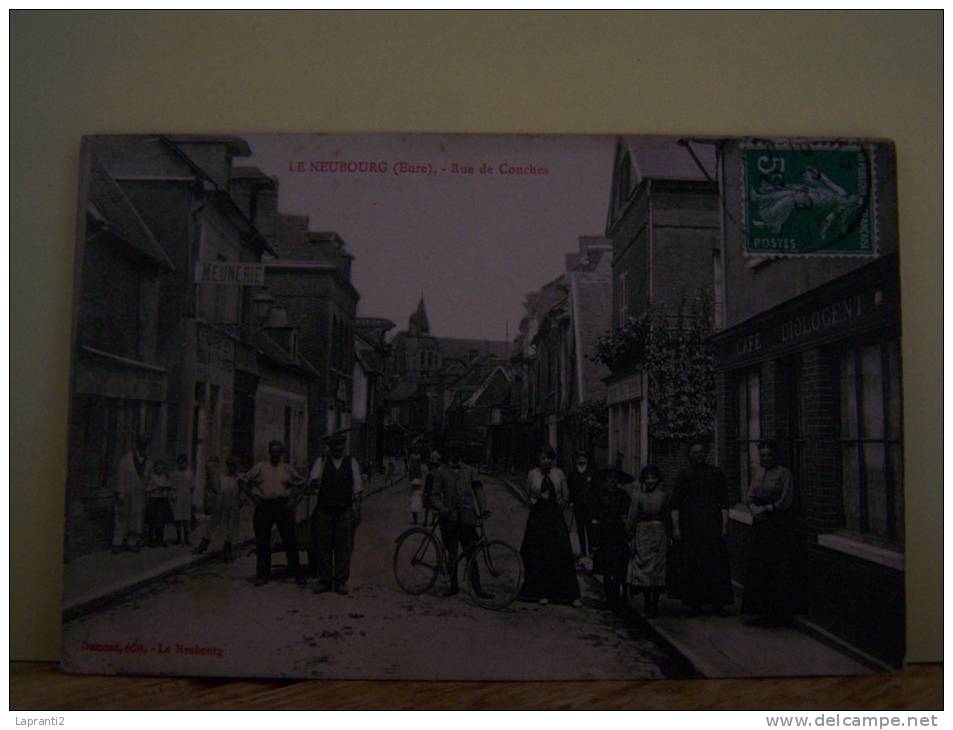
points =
(870, 440)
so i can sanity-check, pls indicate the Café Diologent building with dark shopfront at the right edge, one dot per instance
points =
(810, 356)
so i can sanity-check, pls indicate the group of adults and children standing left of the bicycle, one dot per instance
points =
(146, 498)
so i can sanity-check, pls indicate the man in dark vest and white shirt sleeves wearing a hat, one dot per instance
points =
(337, 479)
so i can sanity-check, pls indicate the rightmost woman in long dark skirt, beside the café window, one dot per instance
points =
(771, 579)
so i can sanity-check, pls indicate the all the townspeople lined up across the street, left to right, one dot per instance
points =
(640, 535)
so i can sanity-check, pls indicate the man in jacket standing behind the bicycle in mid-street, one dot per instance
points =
(460, 502)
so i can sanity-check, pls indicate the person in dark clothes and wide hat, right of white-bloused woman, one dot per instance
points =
(611, 559)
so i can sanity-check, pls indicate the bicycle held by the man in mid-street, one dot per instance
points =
(420, 557)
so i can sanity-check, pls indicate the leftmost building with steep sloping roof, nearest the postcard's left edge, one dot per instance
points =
(120, 386)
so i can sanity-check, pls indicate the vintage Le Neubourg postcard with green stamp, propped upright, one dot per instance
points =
(485, 407)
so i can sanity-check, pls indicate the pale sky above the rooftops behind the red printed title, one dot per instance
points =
(473, 243)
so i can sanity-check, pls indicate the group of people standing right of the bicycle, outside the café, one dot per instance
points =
(649, 539)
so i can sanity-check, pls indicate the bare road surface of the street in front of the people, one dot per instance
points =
(376, 631)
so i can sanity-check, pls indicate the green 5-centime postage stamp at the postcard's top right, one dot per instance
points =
(808, 198)
